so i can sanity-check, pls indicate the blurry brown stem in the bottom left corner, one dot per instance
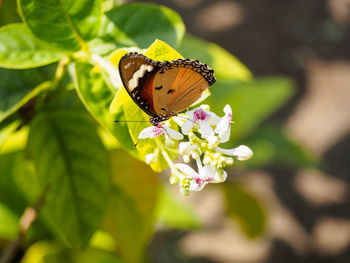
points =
(29, 215)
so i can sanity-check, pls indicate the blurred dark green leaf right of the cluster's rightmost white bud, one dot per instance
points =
(271, 145)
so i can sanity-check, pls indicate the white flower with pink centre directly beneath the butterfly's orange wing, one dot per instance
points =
(204, 118)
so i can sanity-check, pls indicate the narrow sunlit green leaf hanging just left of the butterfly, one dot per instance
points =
(97, 96)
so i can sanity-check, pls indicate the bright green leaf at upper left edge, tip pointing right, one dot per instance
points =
(19, 49)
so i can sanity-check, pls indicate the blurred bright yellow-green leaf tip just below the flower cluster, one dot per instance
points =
(175, 213)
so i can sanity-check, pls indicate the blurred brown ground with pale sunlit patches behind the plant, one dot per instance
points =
(307, 209)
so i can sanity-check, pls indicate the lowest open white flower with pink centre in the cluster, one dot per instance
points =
(206, 174)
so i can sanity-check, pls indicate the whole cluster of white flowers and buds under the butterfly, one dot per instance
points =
(204, 132)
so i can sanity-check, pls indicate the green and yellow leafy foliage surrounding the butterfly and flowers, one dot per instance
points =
(58, 139)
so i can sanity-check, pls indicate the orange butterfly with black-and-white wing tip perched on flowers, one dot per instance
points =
(164, 88)
